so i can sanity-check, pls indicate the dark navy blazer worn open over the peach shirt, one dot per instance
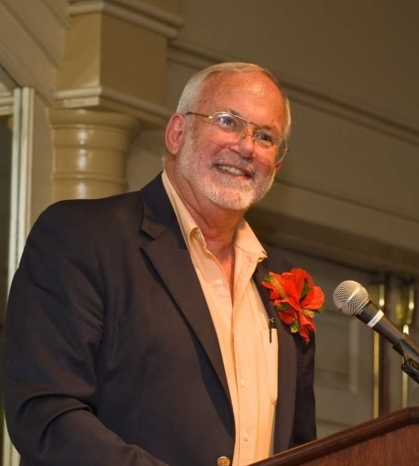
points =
(110, 353)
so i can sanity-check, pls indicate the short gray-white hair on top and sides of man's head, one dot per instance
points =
(192, 91)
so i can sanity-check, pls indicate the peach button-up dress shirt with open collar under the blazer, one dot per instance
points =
(248, 348)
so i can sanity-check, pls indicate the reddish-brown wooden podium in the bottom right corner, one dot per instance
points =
(390, 440)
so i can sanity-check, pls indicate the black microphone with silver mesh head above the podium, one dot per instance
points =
(352, 298)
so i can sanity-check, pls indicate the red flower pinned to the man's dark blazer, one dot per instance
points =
(296, 299)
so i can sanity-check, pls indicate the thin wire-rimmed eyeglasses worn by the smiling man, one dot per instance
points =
(233, 128)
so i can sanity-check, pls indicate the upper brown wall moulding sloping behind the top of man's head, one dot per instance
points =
(197, 57)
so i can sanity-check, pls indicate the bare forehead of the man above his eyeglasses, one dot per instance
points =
(252, 95)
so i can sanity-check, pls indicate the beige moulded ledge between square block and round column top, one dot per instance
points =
(73, 98)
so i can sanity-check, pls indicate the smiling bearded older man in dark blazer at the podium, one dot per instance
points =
(138, 332)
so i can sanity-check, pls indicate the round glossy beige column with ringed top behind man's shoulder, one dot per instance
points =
(91, 150)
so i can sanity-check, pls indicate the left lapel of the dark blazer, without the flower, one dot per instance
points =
(171, 259)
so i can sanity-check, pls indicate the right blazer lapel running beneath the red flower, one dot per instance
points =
(287, 368)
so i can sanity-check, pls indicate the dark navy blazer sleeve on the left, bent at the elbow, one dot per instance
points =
(53, 336)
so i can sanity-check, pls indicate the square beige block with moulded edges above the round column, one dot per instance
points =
(115, 57)
